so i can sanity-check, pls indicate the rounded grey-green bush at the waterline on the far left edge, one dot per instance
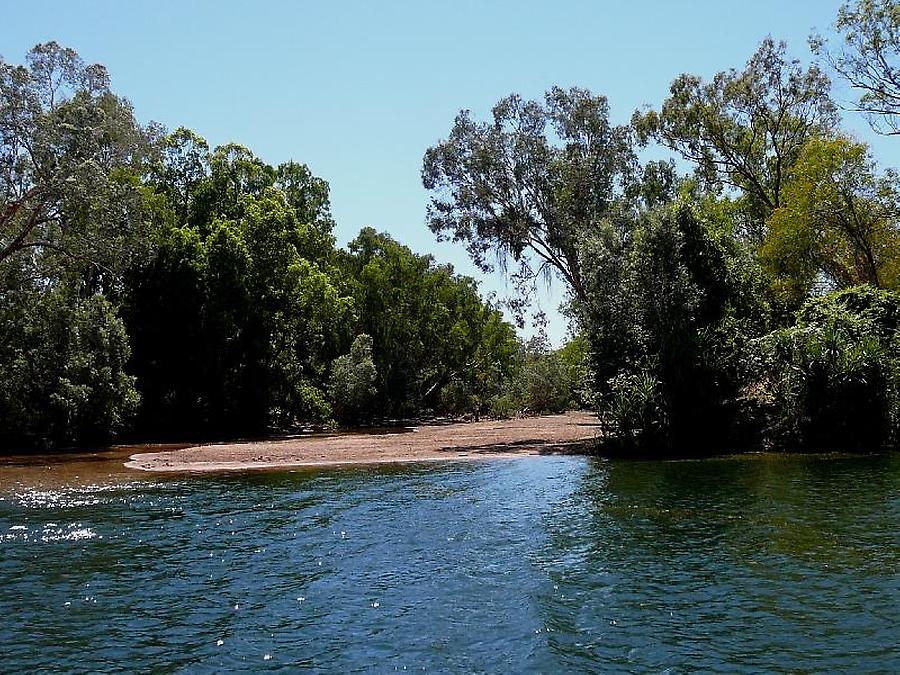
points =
(62, 370)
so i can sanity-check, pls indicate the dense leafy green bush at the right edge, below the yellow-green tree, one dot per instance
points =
(830, 381)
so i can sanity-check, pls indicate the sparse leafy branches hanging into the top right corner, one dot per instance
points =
(869, 59)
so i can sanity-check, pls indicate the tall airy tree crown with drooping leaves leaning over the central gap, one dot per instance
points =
(528, 184)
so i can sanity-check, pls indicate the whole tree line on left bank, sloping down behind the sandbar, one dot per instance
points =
(154, 288)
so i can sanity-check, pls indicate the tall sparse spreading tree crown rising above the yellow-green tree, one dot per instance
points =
(745, 129)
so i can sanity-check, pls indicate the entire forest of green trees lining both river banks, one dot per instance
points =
(742, 292)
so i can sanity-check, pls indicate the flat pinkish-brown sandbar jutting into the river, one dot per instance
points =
(472, 440)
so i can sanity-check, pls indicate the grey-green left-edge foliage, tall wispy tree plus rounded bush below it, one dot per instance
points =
(71, 222)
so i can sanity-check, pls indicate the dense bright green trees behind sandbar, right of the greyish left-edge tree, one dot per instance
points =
(265, 307)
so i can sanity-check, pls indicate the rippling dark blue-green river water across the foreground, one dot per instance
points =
(537, 564)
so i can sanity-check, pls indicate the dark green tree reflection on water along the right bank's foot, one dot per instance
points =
(748, 505)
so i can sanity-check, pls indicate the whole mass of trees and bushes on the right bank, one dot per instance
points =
(751, 302)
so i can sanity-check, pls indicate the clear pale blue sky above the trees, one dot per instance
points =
(359, 90)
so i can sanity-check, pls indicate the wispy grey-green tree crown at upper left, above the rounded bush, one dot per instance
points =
(70, 155)
